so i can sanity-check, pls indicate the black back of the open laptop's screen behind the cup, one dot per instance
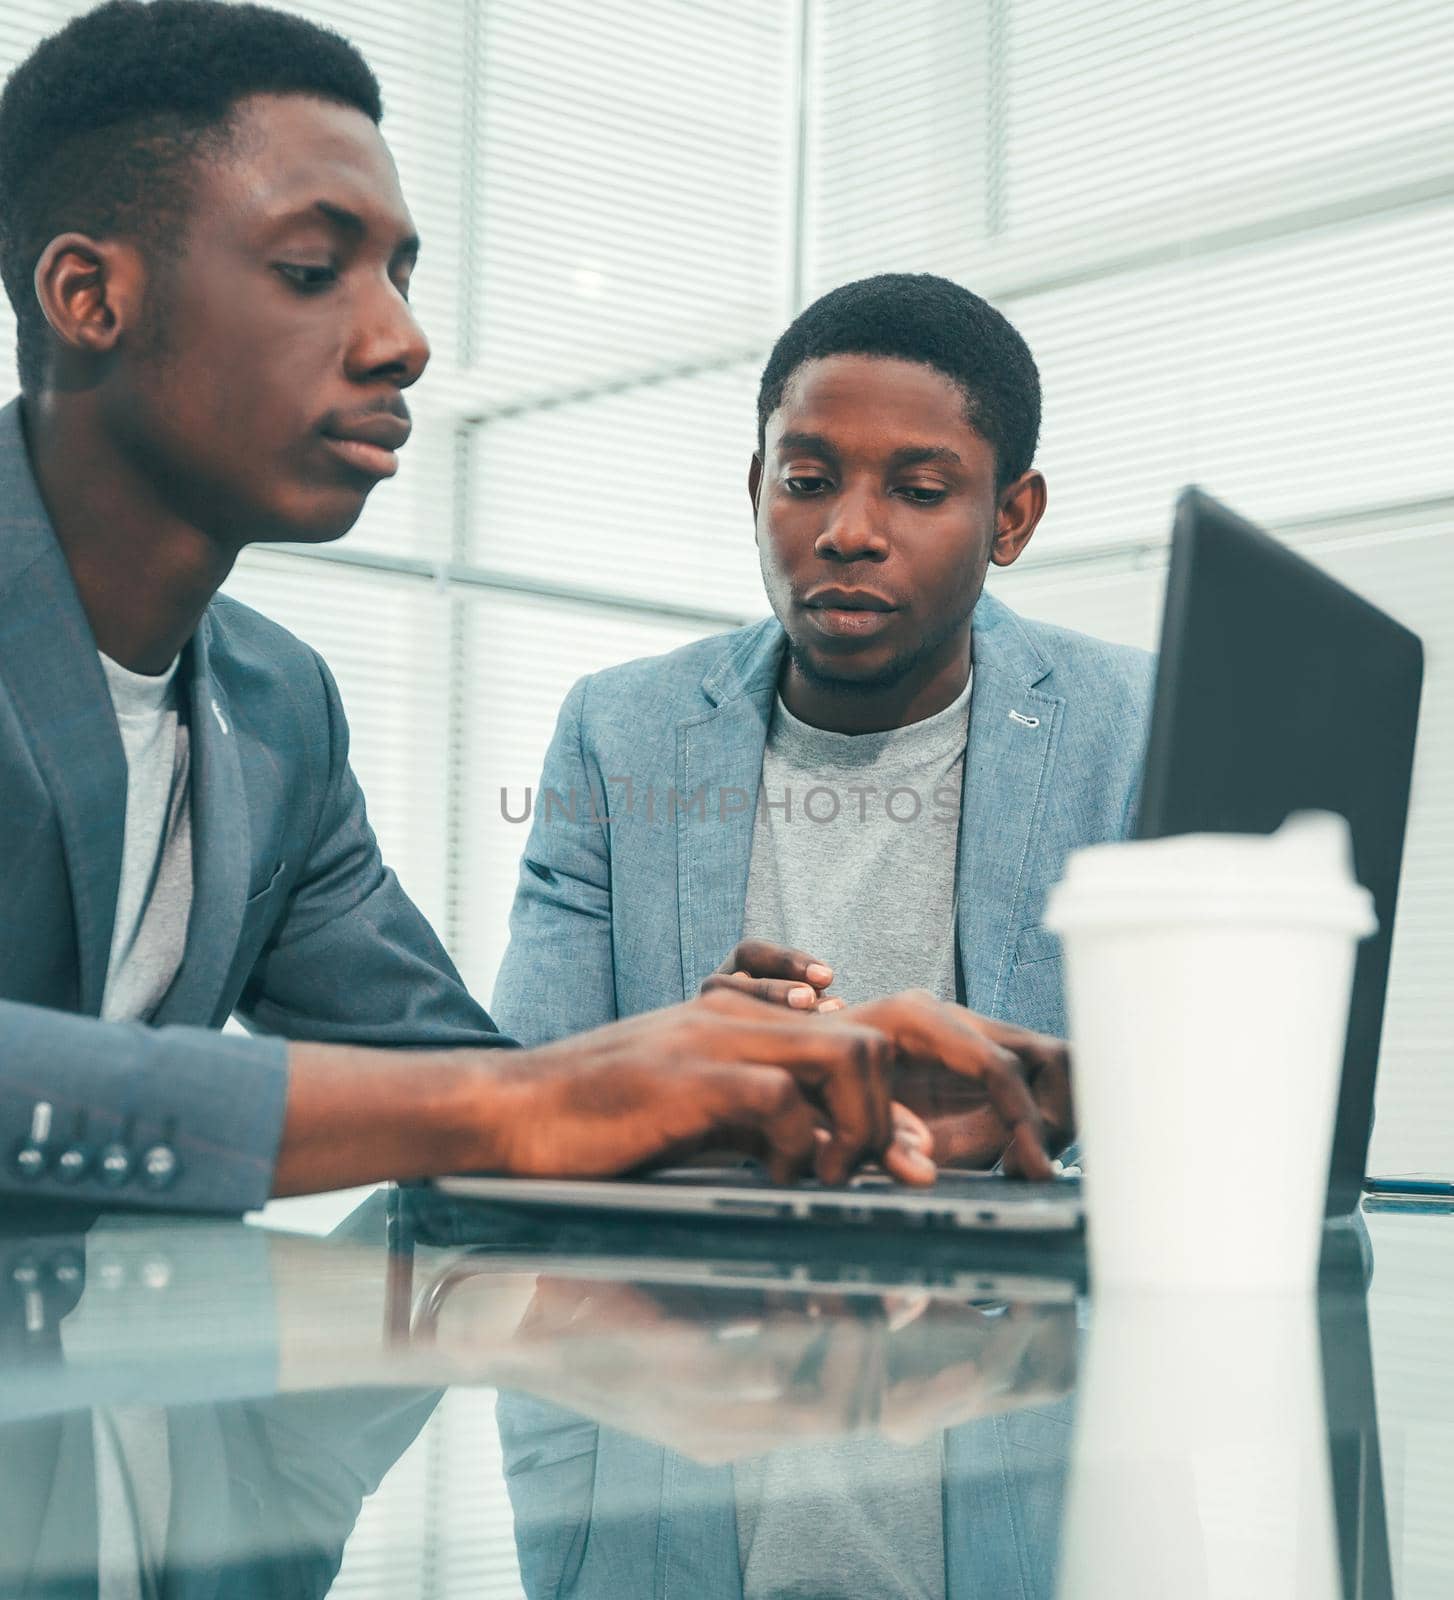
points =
(1280, 690)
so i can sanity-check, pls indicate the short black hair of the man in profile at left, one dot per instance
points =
(103, 124)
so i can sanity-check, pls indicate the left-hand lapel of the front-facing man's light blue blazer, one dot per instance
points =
(719, 774)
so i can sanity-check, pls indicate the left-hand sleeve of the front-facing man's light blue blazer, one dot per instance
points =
(559, 975)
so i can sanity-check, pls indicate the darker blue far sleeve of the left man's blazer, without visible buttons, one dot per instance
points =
(353, 959)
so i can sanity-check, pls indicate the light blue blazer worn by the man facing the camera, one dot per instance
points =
(633, 905)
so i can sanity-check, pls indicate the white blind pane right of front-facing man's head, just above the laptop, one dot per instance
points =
(1304, 377)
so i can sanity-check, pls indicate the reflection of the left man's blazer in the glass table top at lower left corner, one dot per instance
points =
(214, 1487)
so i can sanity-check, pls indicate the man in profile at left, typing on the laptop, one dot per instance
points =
(209, 254)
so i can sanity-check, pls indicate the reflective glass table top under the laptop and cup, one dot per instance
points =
(445, 1399)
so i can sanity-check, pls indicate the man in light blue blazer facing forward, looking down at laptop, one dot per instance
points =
(876, 788)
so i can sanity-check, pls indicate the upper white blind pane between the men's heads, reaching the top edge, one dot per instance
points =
(629, 191)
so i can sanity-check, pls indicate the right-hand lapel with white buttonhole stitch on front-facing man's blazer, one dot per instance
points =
(1013, 732)
